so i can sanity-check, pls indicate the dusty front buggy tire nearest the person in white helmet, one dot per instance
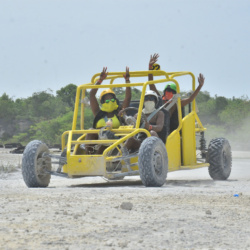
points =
(153, 162)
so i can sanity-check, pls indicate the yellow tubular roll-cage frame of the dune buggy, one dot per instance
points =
(128, 132)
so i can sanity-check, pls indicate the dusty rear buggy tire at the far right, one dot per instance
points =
(219, 157)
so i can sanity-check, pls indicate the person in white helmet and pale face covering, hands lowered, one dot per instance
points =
(155, 126)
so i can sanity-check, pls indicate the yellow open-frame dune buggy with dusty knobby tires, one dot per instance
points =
(155, 158)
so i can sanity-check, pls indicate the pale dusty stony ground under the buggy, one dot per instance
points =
(191, 211)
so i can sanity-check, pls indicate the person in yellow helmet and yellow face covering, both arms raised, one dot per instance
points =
(107, 114)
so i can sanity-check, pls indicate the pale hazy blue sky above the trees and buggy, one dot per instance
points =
(47, 44)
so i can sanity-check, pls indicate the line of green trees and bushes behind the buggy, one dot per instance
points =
(45, 116)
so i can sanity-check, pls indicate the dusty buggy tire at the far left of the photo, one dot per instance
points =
(34, 166)
